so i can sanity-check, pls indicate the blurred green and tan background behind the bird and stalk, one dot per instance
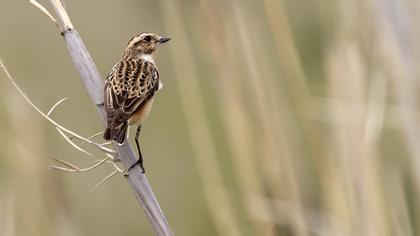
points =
(277, 117)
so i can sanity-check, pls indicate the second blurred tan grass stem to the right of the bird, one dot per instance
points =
(237, 123)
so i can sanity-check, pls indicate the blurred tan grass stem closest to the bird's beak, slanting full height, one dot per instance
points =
(198, 128)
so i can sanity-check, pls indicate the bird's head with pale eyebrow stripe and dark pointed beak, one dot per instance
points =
(144, 45)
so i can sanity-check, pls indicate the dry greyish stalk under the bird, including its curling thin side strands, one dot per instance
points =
(94, 86)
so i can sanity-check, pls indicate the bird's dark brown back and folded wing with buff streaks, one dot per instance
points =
(129, 85)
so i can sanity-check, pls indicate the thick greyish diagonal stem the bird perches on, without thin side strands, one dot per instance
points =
(94, 86)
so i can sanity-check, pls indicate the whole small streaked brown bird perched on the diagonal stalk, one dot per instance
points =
(130, 88)
